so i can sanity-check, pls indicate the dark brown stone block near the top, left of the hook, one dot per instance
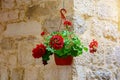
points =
(43, 9)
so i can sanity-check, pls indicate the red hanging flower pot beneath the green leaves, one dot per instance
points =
(63, 61)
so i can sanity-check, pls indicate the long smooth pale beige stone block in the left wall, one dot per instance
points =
(23, 28)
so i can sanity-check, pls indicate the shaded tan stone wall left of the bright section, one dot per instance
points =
(21, 22)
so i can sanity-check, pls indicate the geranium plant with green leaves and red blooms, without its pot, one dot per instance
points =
(61, 43)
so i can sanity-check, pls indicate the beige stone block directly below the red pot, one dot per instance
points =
(59, 72)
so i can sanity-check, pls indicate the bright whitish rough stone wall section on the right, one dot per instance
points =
(97, 19)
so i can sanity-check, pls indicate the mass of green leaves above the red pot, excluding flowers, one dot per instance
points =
(72, 45)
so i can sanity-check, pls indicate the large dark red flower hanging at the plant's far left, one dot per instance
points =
(39, 51)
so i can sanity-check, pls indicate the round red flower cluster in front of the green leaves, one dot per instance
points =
(56, 42)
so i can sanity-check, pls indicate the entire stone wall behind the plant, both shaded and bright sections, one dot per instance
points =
(21, 22)
